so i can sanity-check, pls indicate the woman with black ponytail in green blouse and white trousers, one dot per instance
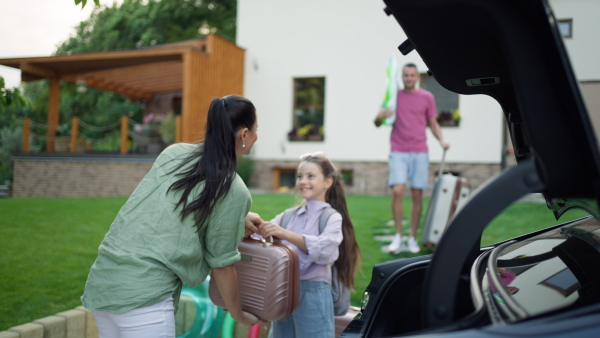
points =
(184, 219)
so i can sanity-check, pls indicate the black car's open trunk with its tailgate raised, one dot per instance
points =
(512, 51)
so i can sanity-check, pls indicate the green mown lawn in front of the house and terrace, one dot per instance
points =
(48, 245)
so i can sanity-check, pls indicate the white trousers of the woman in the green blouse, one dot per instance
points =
(155, 321)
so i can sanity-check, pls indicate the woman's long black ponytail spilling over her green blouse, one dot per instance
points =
(214, 163)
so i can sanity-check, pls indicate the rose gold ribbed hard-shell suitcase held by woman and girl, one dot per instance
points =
(268, 280)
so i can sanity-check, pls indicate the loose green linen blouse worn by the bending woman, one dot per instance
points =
(148, 251)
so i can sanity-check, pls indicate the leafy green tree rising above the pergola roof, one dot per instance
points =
(140, 23)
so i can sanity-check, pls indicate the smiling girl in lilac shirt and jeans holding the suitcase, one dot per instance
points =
(319, 183)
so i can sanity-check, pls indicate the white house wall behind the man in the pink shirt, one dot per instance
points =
(348, 42)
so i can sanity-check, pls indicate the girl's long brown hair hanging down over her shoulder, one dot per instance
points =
(350, 255)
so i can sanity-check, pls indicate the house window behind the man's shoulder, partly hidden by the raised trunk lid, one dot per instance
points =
(445, 101)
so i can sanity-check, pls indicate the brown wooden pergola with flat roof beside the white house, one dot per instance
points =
(201, 69)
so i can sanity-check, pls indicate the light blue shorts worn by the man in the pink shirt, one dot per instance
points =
(415, 166)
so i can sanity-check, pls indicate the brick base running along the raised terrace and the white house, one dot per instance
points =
(118, 175)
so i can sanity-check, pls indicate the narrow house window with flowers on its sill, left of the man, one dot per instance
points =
(309, 109)
